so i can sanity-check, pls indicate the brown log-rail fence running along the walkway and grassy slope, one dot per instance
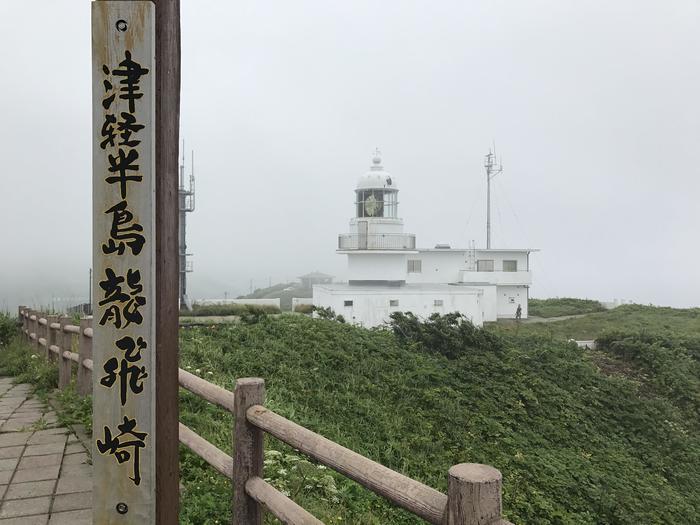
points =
(474, 490)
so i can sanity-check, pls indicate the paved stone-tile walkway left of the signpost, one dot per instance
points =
(45, 475)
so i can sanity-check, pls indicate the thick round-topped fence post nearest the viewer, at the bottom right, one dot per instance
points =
(473, 495)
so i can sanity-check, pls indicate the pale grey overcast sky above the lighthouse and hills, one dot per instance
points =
(593, 107)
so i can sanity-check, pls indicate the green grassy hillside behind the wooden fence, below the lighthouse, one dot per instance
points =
(611, 437)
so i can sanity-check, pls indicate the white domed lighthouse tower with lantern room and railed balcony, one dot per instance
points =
(377, 246)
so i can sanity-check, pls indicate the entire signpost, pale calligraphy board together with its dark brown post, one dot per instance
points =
(136, 86)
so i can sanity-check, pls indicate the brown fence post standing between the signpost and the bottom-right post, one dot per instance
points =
(248, 450)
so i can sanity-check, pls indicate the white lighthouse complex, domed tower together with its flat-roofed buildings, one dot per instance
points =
(387, 273)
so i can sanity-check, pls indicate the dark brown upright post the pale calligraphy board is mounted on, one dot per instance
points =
(167, 258)
